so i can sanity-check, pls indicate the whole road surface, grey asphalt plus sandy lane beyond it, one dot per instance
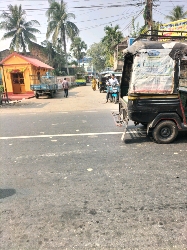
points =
(68, 181)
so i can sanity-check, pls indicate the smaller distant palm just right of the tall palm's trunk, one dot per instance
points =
(77, 48)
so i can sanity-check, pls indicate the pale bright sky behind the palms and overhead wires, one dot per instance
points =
(91, 21)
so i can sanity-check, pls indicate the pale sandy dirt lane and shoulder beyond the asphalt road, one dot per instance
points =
(80, 98)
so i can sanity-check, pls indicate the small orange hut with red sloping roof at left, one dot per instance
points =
(17, 70)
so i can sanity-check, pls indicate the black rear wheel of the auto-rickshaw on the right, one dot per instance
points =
(165, 132)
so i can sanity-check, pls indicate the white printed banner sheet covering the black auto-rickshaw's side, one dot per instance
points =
(152, 72)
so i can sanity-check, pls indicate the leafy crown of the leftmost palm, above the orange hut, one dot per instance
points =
(21, 32)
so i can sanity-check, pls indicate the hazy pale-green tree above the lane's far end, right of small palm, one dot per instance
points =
(96, 52)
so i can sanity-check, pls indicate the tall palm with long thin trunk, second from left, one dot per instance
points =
(59, 24)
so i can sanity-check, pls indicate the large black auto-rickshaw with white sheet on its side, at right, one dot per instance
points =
(153, 89)
